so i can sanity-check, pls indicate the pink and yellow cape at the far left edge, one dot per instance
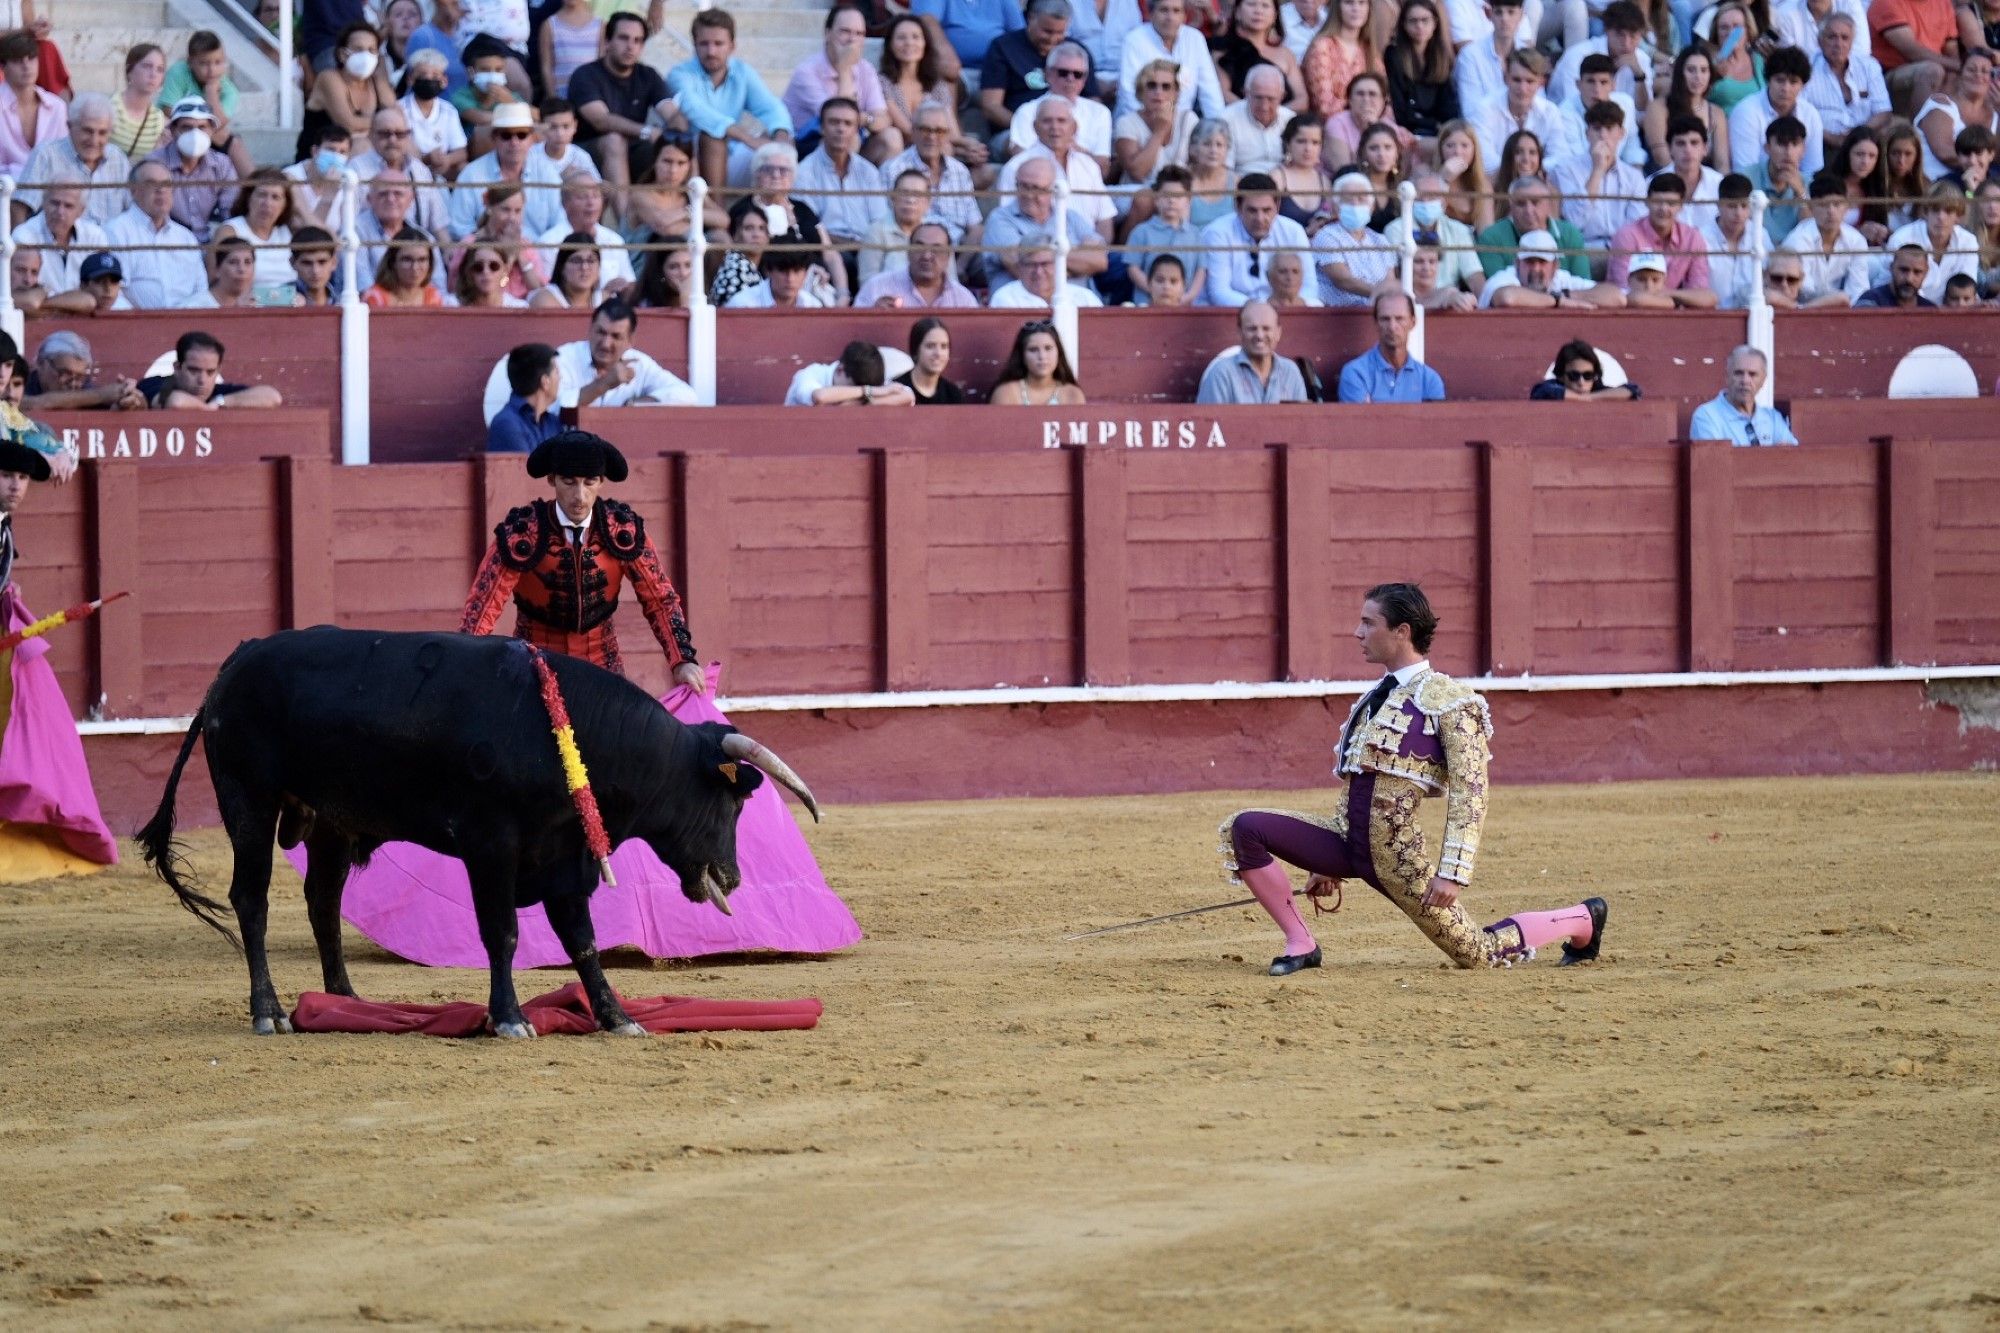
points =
(43, 772)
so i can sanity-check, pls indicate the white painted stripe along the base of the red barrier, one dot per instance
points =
(1229, 692)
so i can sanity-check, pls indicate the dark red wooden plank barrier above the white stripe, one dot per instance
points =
(901, 569)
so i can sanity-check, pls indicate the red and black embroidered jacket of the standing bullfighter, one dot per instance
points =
(565, 595)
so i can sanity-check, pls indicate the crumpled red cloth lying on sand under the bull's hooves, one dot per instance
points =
(559, 1012)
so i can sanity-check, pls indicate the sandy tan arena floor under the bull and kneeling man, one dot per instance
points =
(1773, 1104)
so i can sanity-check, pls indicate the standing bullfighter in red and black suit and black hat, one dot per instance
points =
(565, 559)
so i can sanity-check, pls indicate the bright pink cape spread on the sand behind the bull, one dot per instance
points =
(419, 904)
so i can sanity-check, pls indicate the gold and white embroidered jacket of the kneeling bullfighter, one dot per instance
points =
(1435, 734)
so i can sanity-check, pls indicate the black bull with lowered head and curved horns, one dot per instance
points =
(349, 740)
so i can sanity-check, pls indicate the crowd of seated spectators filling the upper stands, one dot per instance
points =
(961, 153)
